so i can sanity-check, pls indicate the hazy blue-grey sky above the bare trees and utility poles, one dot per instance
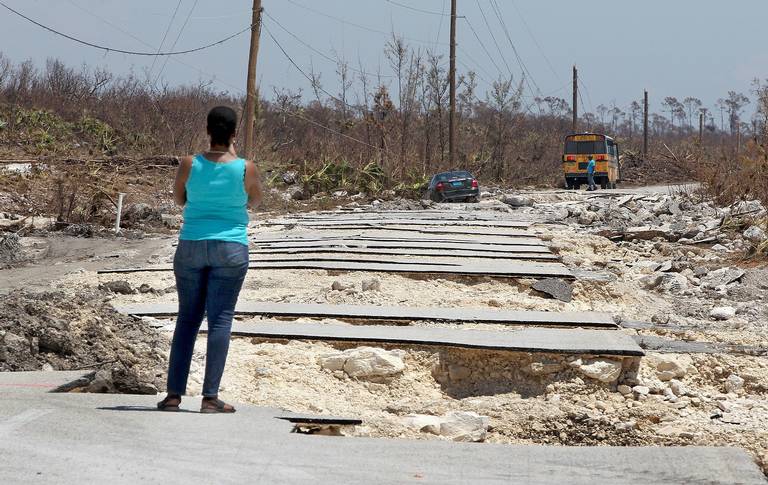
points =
(700, 48)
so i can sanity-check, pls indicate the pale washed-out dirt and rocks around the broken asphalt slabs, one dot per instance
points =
(676, 283)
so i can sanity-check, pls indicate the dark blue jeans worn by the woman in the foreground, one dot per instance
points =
(209, 275)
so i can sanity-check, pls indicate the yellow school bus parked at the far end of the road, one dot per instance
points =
(576, 154)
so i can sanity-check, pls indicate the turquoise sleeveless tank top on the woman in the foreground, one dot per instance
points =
(217, 202)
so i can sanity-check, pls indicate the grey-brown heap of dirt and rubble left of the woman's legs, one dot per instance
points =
(60, 331)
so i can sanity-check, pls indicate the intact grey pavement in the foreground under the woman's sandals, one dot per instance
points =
(88, 438)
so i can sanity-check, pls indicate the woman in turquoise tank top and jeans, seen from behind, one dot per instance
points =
(215, 188)
